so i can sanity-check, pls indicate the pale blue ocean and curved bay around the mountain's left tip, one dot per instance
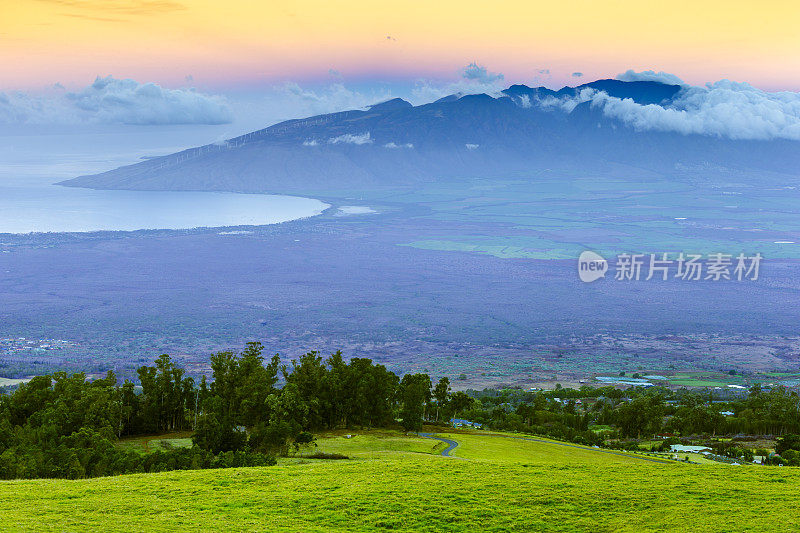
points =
(34, 159)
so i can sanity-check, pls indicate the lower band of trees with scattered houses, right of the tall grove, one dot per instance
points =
(635, 413)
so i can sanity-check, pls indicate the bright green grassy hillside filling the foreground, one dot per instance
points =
(498, 483)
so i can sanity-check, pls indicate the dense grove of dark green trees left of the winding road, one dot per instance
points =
(67, 426)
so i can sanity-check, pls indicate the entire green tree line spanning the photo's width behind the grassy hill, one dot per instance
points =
(254, 409)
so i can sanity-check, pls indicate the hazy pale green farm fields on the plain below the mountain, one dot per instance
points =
(543, 222)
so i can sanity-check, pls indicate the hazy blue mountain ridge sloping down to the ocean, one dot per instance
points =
(521, 132)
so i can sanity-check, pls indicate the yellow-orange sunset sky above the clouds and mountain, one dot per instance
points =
(237, 42)
